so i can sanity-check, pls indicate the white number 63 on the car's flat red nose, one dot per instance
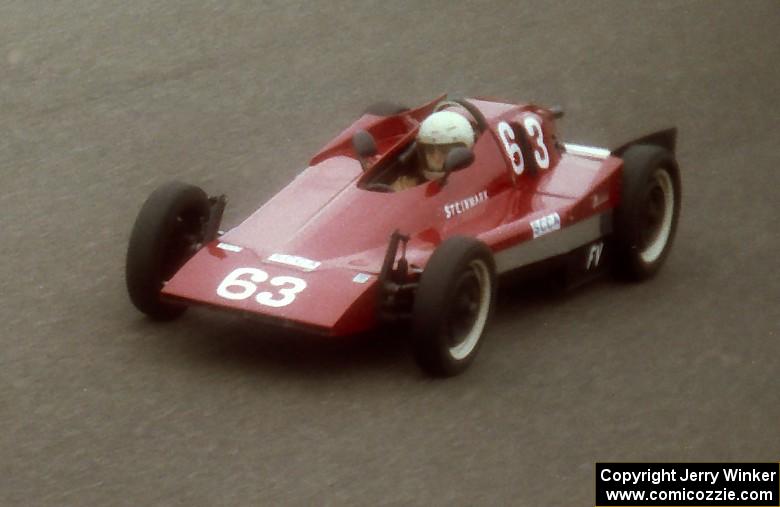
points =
(242, 283)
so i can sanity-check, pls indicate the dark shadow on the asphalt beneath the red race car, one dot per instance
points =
(252, 345)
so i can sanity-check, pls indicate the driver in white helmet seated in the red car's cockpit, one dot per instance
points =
(439, 133)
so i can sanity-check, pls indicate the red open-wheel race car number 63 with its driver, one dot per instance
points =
(411, 215)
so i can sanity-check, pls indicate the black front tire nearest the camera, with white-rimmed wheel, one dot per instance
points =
(453, 305)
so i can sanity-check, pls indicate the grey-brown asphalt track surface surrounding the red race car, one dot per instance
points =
(101, 101)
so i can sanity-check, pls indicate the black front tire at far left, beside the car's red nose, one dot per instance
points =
(166, 233)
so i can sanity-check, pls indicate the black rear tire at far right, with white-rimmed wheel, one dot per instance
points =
(646, 219)
